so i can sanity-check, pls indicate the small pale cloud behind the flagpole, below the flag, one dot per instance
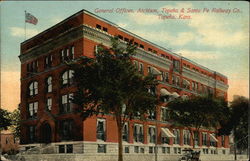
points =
(19, 32)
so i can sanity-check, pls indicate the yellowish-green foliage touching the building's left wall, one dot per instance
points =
(15, 123)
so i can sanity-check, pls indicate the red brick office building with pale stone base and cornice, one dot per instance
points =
(47, 85)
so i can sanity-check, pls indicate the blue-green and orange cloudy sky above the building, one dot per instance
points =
(213, 34)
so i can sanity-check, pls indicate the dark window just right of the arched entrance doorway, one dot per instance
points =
(66, 128)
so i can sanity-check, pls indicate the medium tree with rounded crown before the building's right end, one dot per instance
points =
(198, 112)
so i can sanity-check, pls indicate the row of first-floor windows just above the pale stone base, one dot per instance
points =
(66, 133)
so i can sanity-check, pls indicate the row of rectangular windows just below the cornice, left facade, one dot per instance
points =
(67, 53)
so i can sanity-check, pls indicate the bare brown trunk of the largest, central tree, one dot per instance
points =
(119, 132)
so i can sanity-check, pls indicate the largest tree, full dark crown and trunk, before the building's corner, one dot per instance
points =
(110, 83)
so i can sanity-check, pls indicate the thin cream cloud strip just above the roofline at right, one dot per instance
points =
(211, 55)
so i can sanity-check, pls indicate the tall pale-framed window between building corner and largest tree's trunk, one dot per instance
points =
(101, 129)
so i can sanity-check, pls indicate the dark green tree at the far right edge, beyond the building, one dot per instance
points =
(238, 122)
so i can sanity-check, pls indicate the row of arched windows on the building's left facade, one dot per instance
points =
(66, 80)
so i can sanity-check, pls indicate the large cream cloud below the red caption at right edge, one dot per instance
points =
(211, 30)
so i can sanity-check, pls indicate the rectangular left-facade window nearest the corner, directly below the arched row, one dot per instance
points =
(66, 104)
